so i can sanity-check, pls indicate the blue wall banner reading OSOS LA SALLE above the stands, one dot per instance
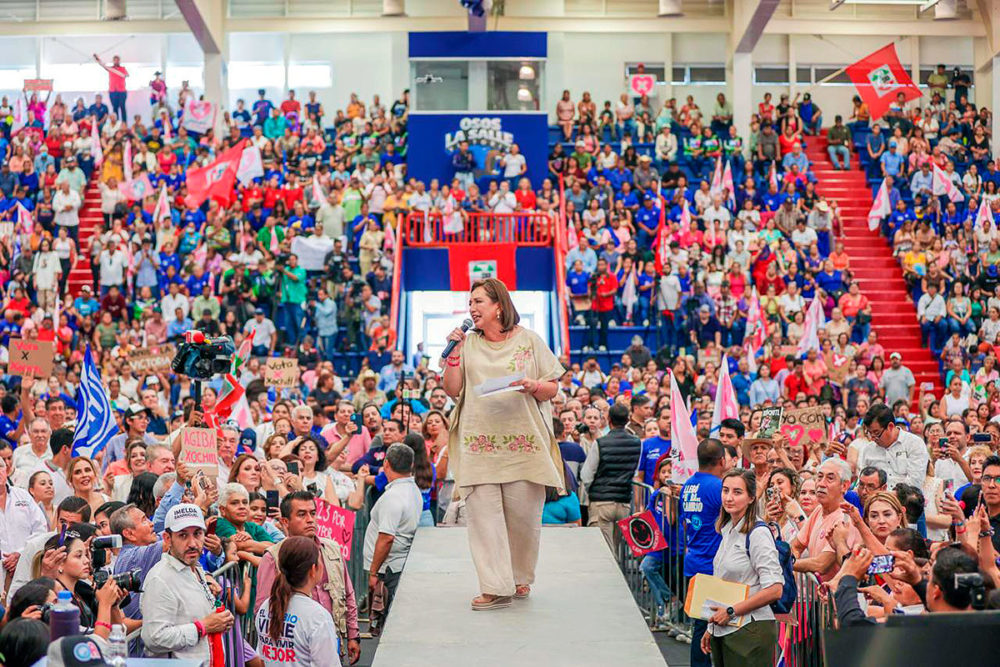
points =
(435, 137)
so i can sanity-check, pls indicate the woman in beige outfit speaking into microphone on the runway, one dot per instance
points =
(502, 448)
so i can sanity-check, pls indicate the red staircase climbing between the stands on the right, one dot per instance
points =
(873, 266)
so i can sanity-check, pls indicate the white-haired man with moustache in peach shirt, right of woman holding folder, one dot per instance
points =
(827, 535)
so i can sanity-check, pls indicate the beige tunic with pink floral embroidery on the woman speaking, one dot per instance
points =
(507, 437)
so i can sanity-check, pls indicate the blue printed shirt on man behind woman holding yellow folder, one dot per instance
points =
(701, 502)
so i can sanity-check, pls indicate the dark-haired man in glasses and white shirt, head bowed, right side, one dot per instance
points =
(902, 455)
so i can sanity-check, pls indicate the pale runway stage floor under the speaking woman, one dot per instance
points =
(580, 612)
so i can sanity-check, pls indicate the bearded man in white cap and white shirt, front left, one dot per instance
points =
(177, 590)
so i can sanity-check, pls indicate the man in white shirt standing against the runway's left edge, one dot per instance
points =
(393, 523)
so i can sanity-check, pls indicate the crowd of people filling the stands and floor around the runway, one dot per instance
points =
(727, 272)
